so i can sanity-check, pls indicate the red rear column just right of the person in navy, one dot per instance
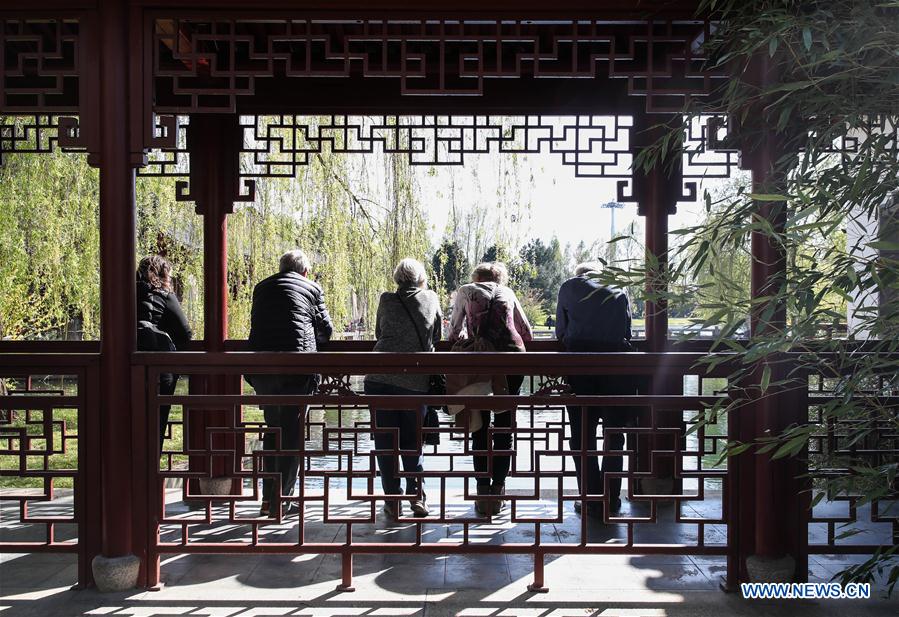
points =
(657, 191)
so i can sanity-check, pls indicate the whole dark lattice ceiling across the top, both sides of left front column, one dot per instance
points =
(347, 57)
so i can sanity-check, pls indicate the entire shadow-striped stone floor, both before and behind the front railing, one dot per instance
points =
(416, 584)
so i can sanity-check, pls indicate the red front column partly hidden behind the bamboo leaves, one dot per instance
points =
(773, 511)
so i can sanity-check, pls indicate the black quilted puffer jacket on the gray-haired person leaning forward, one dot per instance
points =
(288, 314)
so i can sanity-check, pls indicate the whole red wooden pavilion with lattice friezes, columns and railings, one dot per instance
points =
(126, 80)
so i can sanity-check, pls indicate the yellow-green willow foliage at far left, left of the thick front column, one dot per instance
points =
(49, 251)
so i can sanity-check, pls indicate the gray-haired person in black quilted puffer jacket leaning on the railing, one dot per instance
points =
(288, 314)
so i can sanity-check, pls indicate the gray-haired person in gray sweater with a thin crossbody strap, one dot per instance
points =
(408, 320)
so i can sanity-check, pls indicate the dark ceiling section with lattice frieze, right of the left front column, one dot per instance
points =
(273, 64)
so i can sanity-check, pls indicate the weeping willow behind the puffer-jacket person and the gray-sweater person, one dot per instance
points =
(355, 215)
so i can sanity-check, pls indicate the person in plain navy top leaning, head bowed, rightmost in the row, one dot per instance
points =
(593, 317)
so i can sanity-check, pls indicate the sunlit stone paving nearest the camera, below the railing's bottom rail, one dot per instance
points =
(413, 585)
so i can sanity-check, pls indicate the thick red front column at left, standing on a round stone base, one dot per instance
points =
(123, 440)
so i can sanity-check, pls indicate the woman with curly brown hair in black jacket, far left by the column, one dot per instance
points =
(161, 324)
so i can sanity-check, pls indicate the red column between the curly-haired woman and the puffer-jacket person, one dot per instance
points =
(214, 142)
